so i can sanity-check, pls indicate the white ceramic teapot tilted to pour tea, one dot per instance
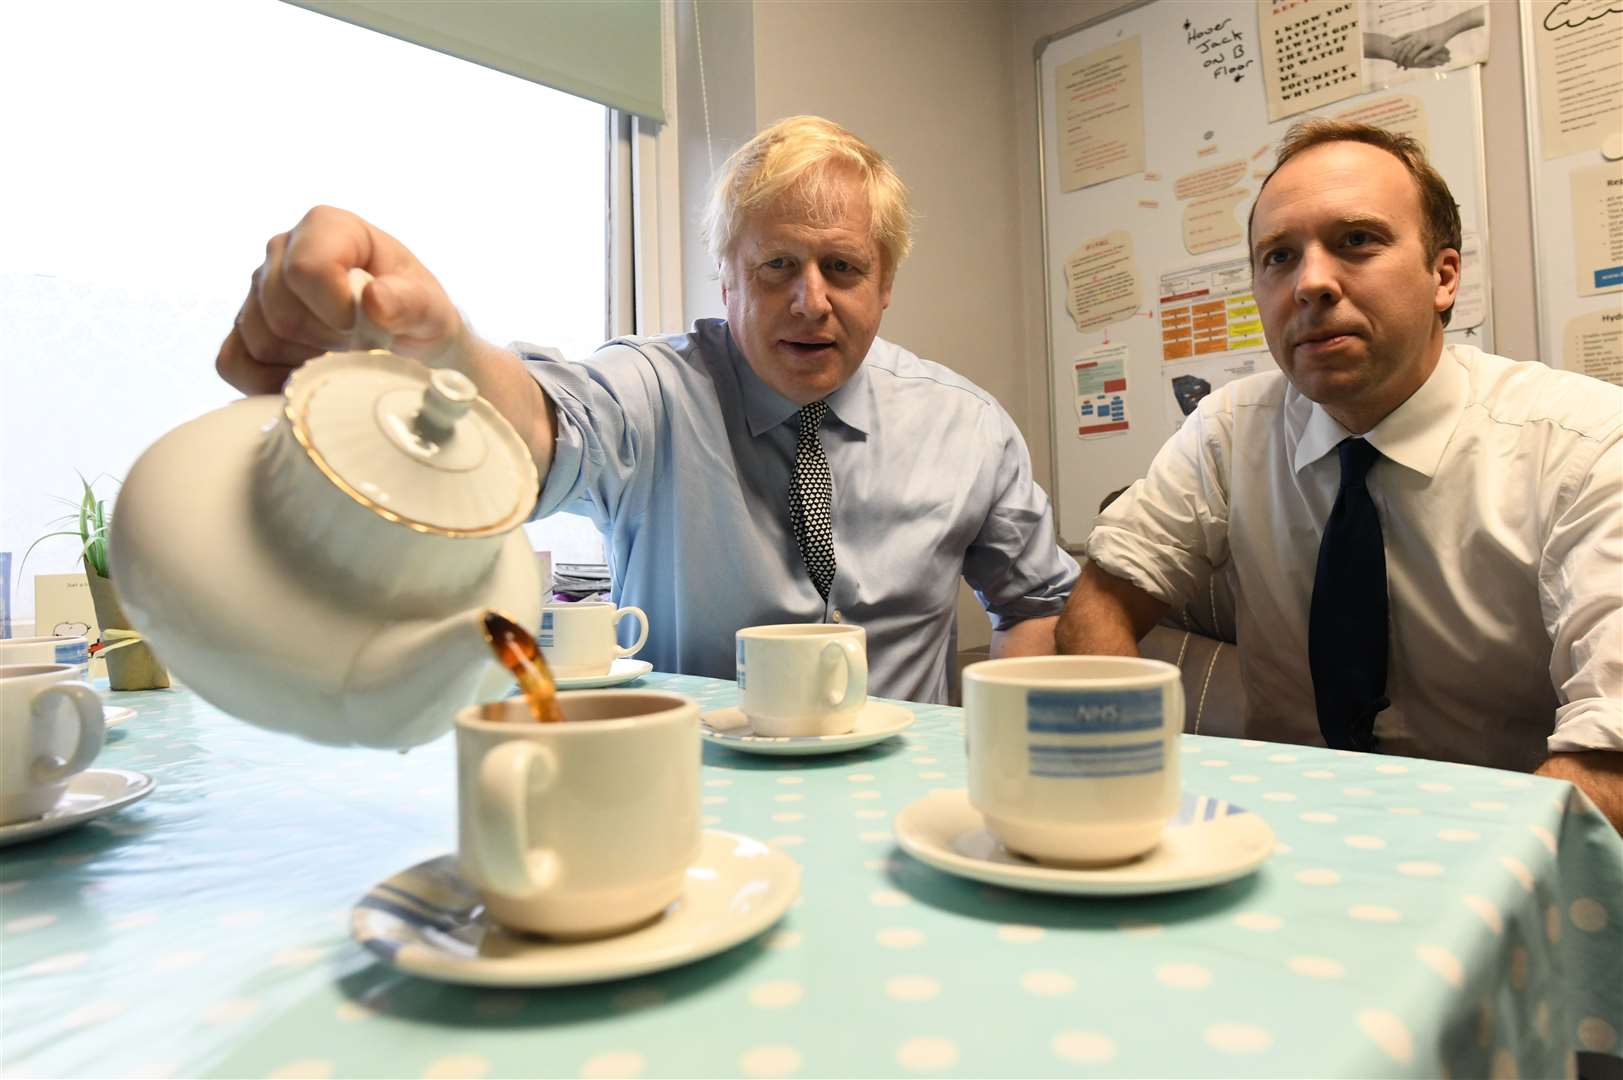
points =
(321, 563)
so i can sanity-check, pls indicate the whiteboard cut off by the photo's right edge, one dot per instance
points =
(1562, 303)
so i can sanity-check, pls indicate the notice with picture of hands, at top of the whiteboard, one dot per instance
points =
(1410, 40)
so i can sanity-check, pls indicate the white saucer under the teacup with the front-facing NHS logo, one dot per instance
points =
(1207, 842)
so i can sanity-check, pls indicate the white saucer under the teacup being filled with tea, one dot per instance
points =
(429, 922)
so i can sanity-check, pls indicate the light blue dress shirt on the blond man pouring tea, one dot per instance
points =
(682, 457)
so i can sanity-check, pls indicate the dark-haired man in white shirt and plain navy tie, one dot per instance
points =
(1449, 584)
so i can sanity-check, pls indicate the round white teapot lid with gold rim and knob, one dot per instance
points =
(415, 446)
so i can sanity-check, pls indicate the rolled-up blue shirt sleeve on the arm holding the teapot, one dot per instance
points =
(608, 428)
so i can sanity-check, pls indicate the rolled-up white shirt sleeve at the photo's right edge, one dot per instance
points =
(1582, 595)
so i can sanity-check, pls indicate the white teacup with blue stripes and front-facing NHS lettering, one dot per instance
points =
(1074, 759)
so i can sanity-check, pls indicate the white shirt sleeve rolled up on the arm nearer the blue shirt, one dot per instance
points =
(1168, 532)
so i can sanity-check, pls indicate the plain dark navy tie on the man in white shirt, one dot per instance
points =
(1348, 621)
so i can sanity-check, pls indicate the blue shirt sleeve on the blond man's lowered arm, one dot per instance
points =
(1015, 564)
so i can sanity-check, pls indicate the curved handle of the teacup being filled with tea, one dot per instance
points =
(506, 780)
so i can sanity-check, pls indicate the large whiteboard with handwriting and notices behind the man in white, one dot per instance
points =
(1200, 113)
